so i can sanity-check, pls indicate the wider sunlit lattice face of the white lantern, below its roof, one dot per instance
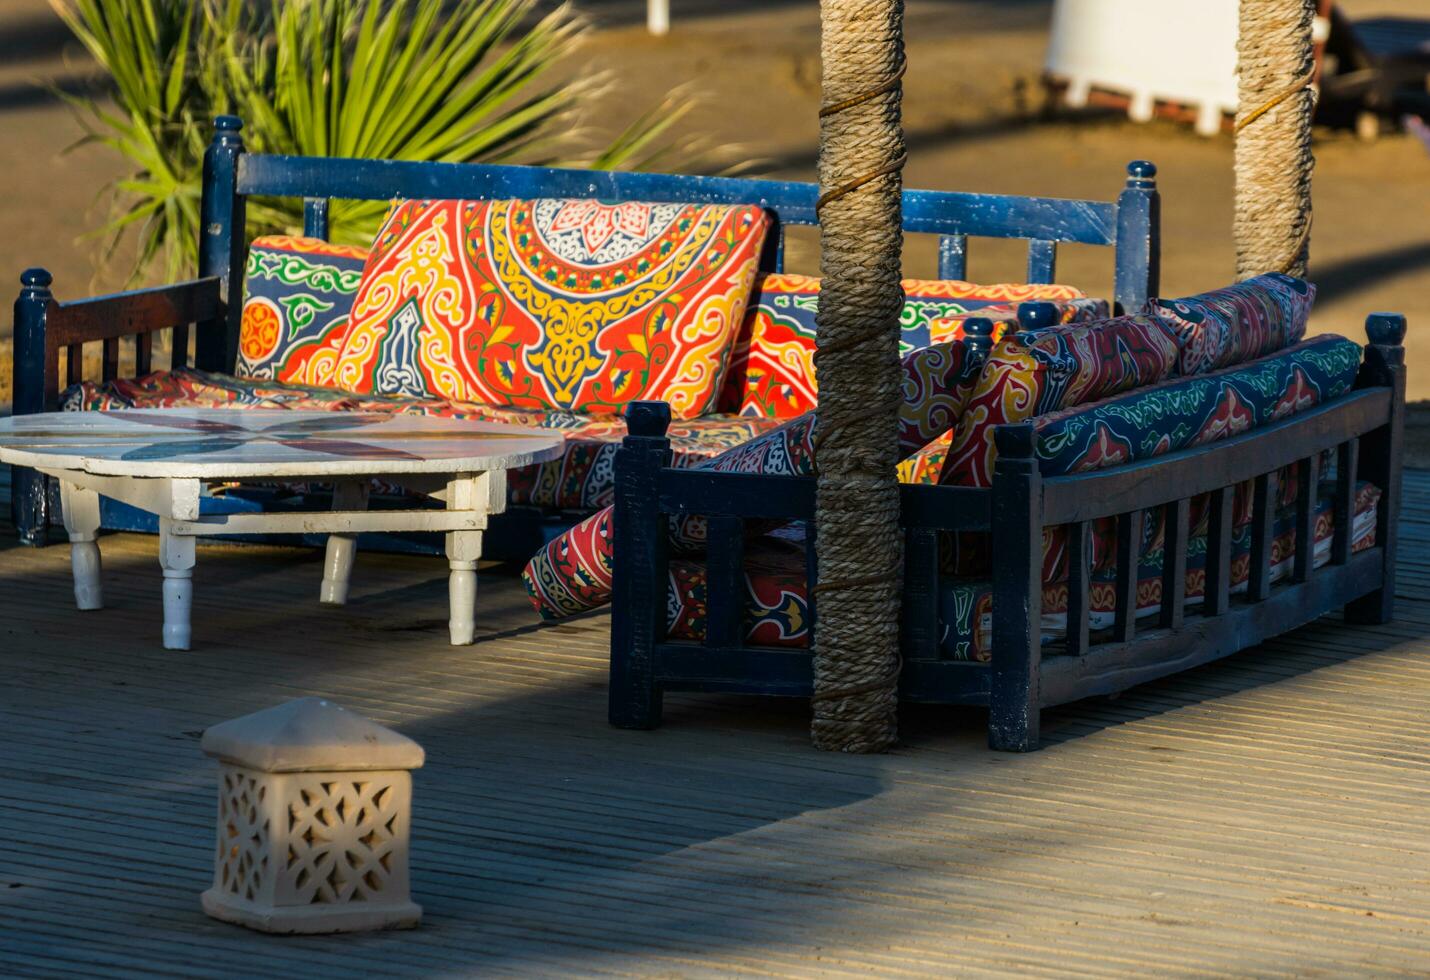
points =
(341, 839)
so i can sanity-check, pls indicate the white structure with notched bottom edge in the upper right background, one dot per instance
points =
(1152, 52)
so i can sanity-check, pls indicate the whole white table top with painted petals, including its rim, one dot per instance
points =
(217, 444)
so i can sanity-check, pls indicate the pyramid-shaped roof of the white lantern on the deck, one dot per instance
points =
(311, 735)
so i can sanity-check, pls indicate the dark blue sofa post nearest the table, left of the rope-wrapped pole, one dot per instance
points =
(638, 584)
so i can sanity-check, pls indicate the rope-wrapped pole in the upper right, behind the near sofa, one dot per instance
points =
(1276, 94)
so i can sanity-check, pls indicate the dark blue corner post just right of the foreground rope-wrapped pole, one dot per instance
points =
(1015, 697)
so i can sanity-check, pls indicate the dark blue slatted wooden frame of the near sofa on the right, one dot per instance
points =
(1364, 428)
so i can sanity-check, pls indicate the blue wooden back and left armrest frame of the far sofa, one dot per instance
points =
(214, 304)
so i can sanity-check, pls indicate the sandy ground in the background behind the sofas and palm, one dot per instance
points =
(972, 115)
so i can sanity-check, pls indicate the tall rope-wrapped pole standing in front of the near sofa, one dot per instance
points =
(859, 544)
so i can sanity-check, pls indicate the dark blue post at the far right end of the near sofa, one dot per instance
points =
(1381, 459)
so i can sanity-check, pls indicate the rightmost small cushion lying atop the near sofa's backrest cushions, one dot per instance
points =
(1238, 324)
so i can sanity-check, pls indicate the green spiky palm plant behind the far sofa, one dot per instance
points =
(453, 81)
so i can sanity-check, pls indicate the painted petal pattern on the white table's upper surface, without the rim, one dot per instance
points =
(338, 436)
